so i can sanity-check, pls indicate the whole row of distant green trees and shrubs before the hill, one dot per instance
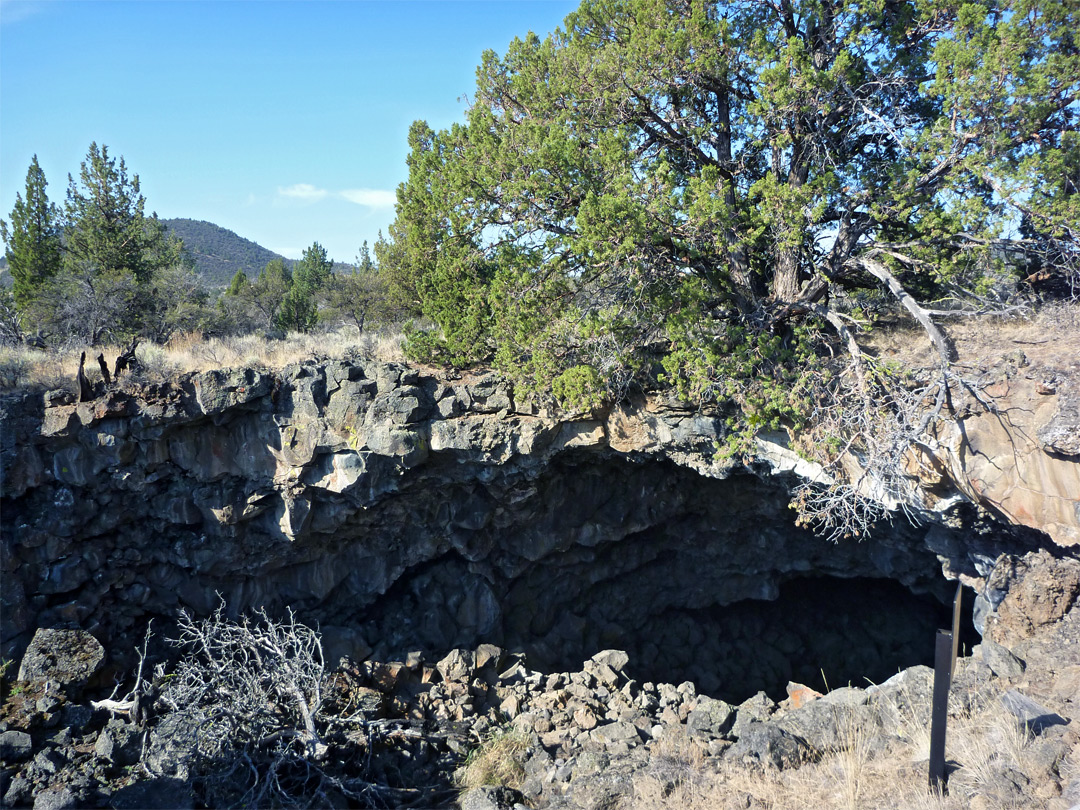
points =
(101, 269)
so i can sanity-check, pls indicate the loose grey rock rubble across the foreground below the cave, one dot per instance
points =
(582, 739)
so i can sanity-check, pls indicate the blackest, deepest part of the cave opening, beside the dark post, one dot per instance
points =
(823, 632)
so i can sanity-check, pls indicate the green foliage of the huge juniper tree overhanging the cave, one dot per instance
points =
(712, 178)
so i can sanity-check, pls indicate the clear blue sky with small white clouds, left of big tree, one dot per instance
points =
(286, 123)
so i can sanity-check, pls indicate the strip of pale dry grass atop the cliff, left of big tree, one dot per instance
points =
(24, 368)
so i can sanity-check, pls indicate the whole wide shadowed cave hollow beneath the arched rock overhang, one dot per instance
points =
(697, 579)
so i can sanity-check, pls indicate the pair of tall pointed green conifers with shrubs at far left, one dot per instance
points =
(102, 268)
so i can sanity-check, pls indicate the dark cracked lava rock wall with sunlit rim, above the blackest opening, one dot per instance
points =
(402, 510)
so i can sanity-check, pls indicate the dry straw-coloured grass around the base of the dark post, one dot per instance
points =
(984, 744)
